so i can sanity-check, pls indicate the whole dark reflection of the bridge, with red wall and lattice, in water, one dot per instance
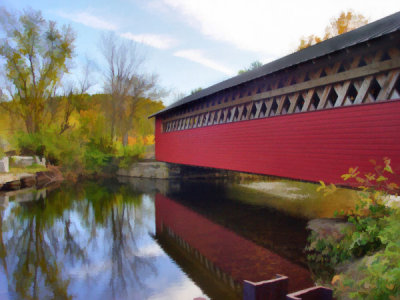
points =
(220, 244)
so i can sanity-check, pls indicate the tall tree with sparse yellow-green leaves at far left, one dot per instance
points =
(36, 55)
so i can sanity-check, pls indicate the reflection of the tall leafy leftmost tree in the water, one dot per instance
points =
(32, 248)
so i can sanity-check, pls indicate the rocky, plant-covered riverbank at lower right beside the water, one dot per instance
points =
(358, 255)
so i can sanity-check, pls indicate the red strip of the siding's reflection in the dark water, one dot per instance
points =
(233, 254)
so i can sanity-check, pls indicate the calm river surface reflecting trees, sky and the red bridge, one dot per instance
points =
(144, 239)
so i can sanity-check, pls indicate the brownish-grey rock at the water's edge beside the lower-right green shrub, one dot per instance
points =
(333, 228)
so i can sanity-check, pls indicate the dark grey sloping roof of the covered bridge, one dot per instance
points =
(360, 35)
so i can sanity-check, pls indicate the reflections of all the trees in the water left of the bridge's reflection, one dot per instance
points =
(40, 240)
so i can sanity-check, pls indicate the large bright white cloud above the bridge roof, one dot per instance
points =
(269, 27)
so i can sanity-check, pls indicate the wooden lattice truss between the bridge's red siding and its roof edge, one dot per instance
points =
(359, 76)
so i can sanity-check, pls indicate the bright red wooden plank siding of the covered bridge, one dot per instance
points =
(313, 146)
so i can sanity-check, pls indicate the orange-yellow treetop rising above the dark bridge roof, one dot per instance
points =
(346, 22)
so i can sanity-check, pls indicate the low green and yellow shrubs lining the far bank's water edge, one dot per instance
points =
(76, 155)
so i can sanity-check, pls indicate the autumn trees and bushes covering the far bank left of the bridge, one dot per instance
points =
(43, 114)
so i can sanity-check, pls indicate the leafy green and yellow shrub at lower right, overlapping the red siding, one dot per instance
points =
(376, 237)
